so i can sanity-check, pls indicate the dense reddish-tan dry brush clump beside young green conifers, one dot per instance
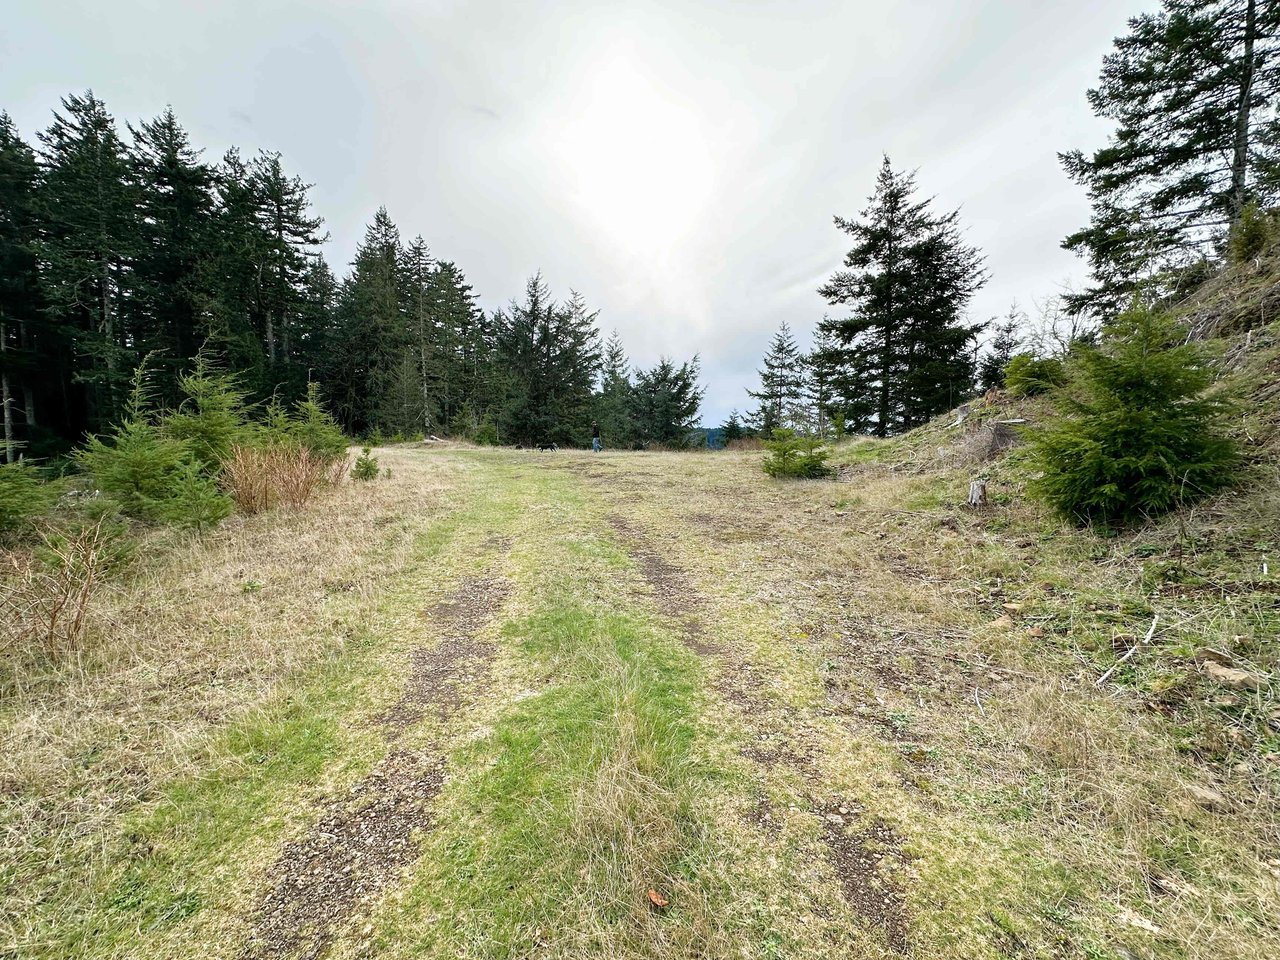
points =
(281, 476)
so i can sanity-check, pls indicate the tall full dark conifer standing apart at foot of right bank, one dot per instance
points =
(909, 280)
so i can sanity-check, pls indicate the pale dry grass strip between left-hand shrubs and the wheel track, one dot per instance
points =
(202, 634)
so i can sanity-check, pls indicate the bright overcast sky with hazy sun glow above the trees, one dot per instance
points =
(676, 162)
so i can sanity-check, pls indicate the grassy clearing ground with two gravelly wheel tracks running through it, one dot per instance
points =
(514, 705)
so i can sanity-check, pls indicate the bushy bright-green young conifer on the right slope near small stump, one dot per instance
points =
(1137, 437)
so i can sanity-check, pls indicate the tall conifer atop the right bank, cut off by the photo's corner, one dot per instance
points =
(1194, 93)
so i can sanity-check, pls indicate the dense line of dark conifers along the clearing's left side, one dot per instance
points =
(121, 246)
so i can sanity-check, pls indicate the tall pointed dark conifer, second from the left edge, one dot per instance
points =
(90, 218)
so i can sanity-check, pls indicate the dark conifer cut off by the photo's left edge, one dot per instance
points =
(21, 326)
